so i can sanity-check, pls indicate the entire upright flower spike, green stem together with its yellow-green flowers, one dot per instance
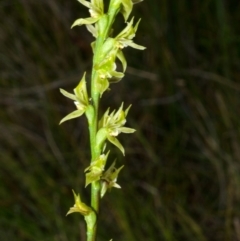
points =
(107, 50)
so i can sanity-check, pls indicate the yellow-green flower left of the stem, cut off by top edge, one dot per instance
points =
(96, 9)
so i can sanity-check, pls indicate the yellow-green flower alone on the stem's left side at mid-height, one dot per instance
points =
(80, 98)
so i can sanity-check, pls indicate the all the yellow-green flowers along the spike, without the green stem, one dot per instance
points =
(111, 124)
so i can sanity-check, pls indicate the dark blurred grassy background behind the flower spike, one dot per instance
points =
(181, 179)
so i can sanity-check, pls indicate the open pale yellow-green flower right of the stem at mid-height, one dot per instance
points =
(111, 125)
